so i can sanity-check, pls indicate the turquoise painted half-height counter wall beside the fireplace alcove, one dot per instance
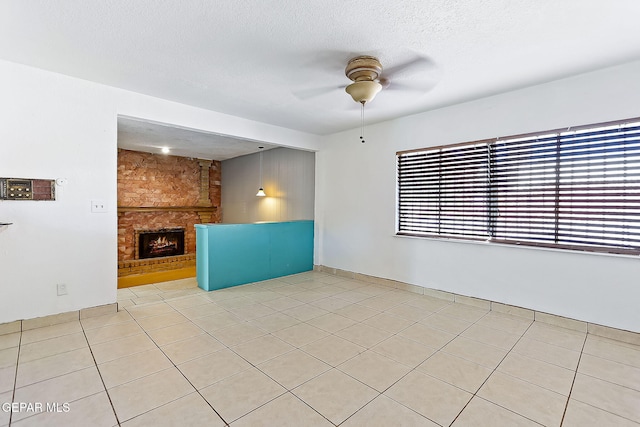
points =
(236, 254)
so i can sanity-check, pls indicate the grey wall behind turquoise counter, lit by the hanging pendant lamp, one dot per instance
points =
(288, 180)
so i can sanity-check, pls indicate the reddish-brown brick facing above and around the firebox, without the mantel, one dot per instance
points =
(148, 180)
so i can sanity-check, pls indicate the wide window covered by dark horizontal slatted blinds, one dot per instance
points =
(574, 189)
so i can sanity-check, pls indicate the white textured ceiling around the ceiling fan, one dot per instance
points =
(261, 59)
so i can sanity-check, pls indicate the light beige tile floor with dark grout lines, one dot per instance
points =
(313, 350)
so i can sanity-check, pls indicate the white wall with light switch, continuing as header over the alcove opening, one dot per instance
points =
(54, 126)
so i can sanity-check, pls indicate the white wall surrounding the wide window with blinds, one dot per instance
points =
(356, 196)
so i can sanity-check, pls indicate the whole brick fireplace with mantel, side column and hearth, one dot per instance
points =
(158, 192)
